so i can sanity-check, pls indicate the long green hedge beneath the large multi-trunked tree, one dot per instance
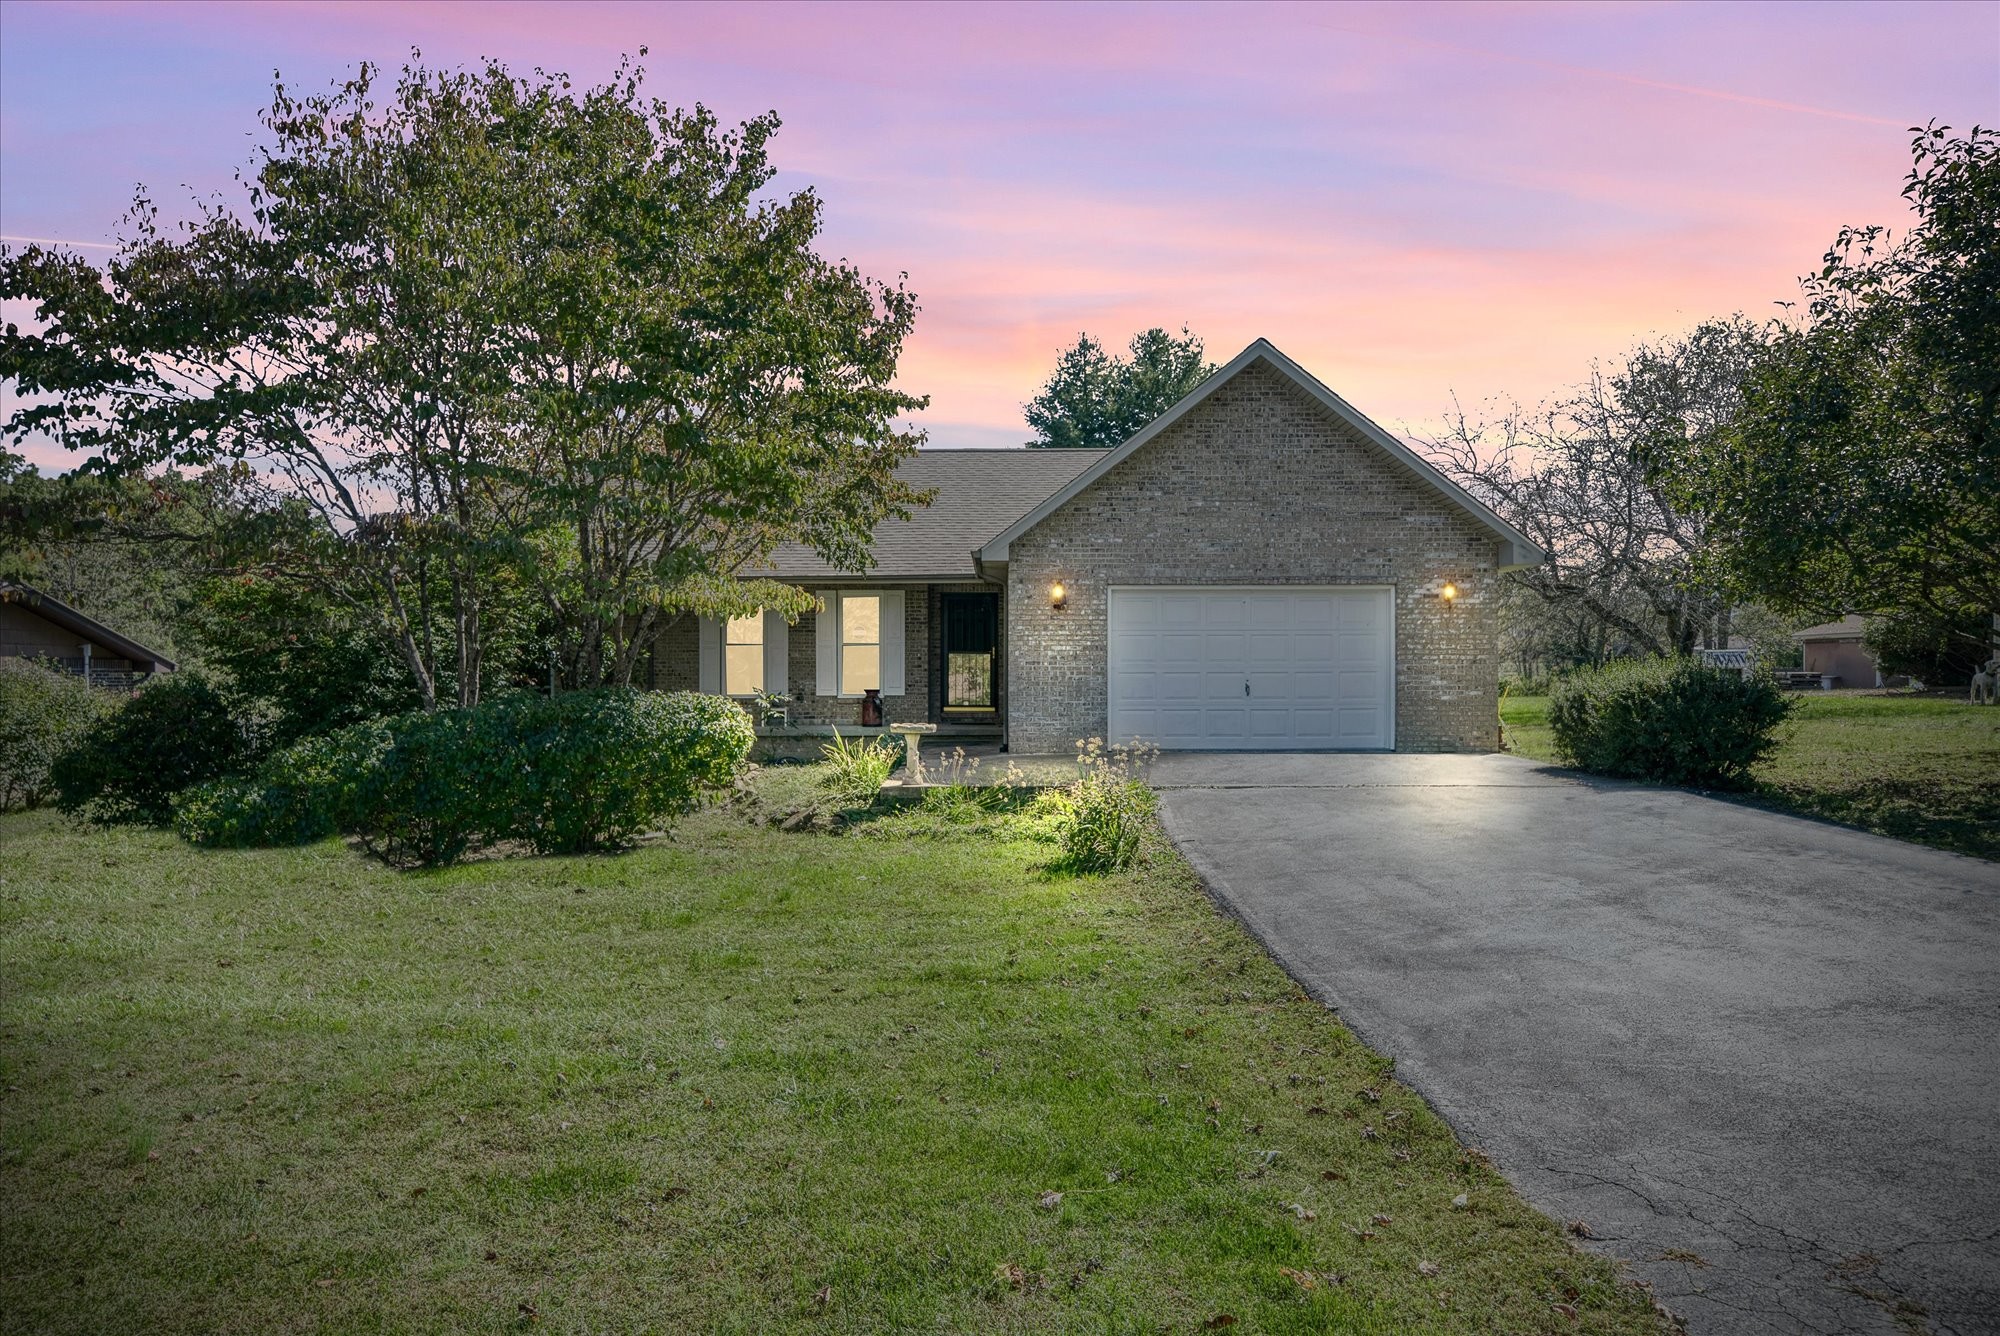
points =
(565, 775)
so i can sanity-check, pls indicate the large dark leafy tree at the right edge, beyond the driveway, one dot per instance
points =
(1863, 473)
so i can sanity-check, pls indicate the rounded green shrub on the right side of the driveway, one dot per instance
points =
(1667, 719)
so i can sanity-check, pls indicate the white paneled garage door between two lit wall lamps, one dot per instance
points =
(1245, 669)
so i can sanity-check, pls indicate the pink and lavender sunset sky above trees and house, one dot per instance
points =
(1417, 203)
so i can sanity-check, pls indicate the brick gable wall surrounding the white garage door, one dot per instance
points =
(1259, 485)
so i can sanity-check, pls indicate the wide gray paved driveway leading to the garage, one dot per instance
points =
(1757, 1055)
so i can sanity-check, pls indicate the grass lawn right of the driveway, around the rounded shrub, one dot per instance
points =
(1921, 769)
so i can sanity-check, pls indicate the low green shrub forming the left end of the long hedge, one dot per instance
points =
(299, 795)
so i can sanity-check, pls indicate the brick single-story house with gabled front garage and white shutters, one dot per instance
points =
(1261, 567)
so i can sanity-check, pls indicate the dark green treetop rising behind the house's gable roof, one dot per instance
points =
(1099, 401)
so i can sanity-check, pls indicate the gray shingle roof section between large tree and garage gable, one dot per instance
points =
(981, 493)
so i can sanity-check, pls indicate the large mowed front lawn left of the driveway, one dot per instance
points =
(737, 1081)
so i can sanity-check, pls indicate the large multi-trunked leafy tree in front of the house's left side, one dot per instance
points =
(491, 325)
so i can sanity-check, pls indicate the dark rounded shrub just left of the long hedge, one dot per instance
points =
(127, 767)
